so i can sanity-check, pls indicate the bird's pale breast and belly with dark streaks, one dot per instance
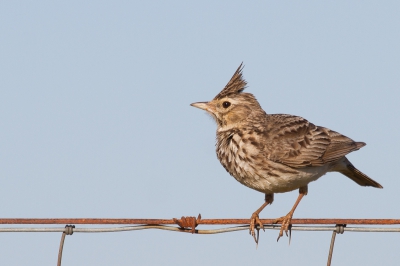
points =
(242, 155)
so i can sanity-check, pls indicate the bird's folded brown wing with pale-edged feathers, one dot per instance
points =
(295, 142)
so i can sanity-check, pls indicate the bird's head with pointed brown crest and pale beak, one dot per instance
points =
(231, 106)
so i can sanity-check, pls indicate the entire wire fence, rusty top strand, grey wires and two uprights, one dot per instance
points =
(188, 225)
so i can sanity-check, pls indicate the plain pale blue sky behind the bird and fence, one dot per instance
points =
(95, 122)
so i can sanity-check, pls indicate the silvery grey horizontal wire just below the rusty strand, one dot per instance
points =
(197, 231)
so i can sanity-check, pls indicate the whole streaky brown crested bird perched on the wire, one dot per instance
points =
(275, 153)
